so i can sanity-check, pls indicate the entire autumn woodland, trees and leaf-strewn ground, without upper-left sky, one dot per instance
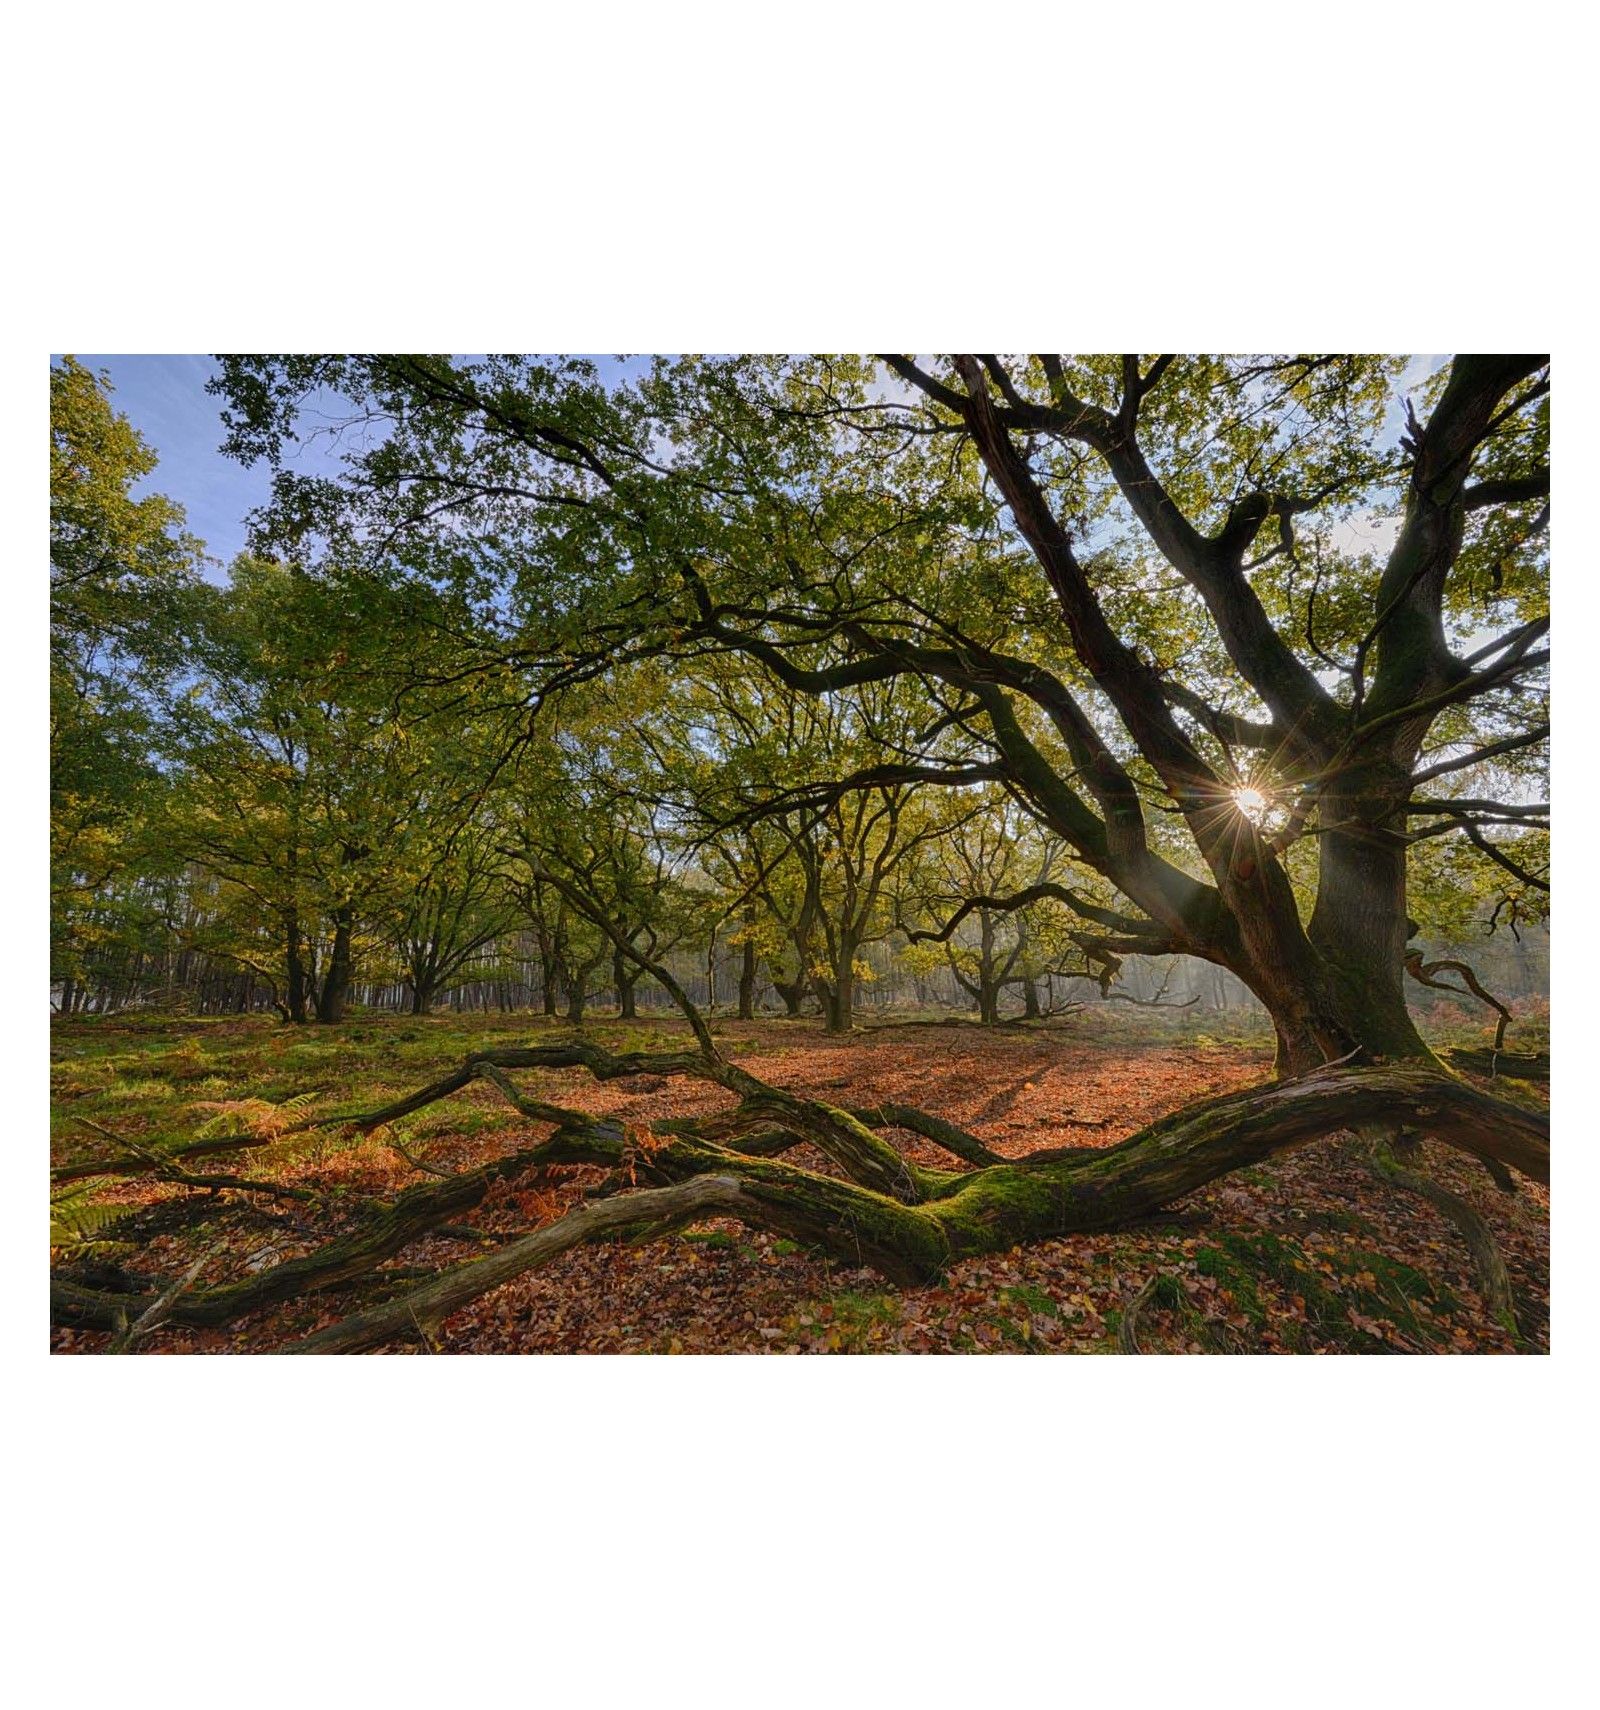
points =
(739, 854)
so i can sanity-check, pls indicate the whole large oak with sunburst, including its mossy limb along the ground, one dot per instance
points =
(1124, 591)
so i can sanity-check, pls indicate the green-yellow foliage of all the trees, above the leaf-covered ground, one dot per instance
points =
(760, 654)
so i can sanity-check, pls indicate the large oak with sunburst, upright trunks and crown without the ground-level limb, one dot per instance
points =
(1121, 581)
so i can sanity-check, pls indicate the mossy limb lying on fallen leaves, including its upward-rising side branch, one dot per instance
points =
(888, 1213)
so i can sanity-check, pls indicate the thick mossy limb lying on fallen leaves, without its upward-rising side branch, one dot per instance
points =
(905, 1222)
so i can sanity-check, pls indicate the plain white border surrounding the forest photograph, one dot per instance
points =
(1384, 177)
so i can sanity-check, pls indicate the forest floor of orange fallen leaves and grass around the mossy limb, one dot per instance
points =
(1309, 1254)
